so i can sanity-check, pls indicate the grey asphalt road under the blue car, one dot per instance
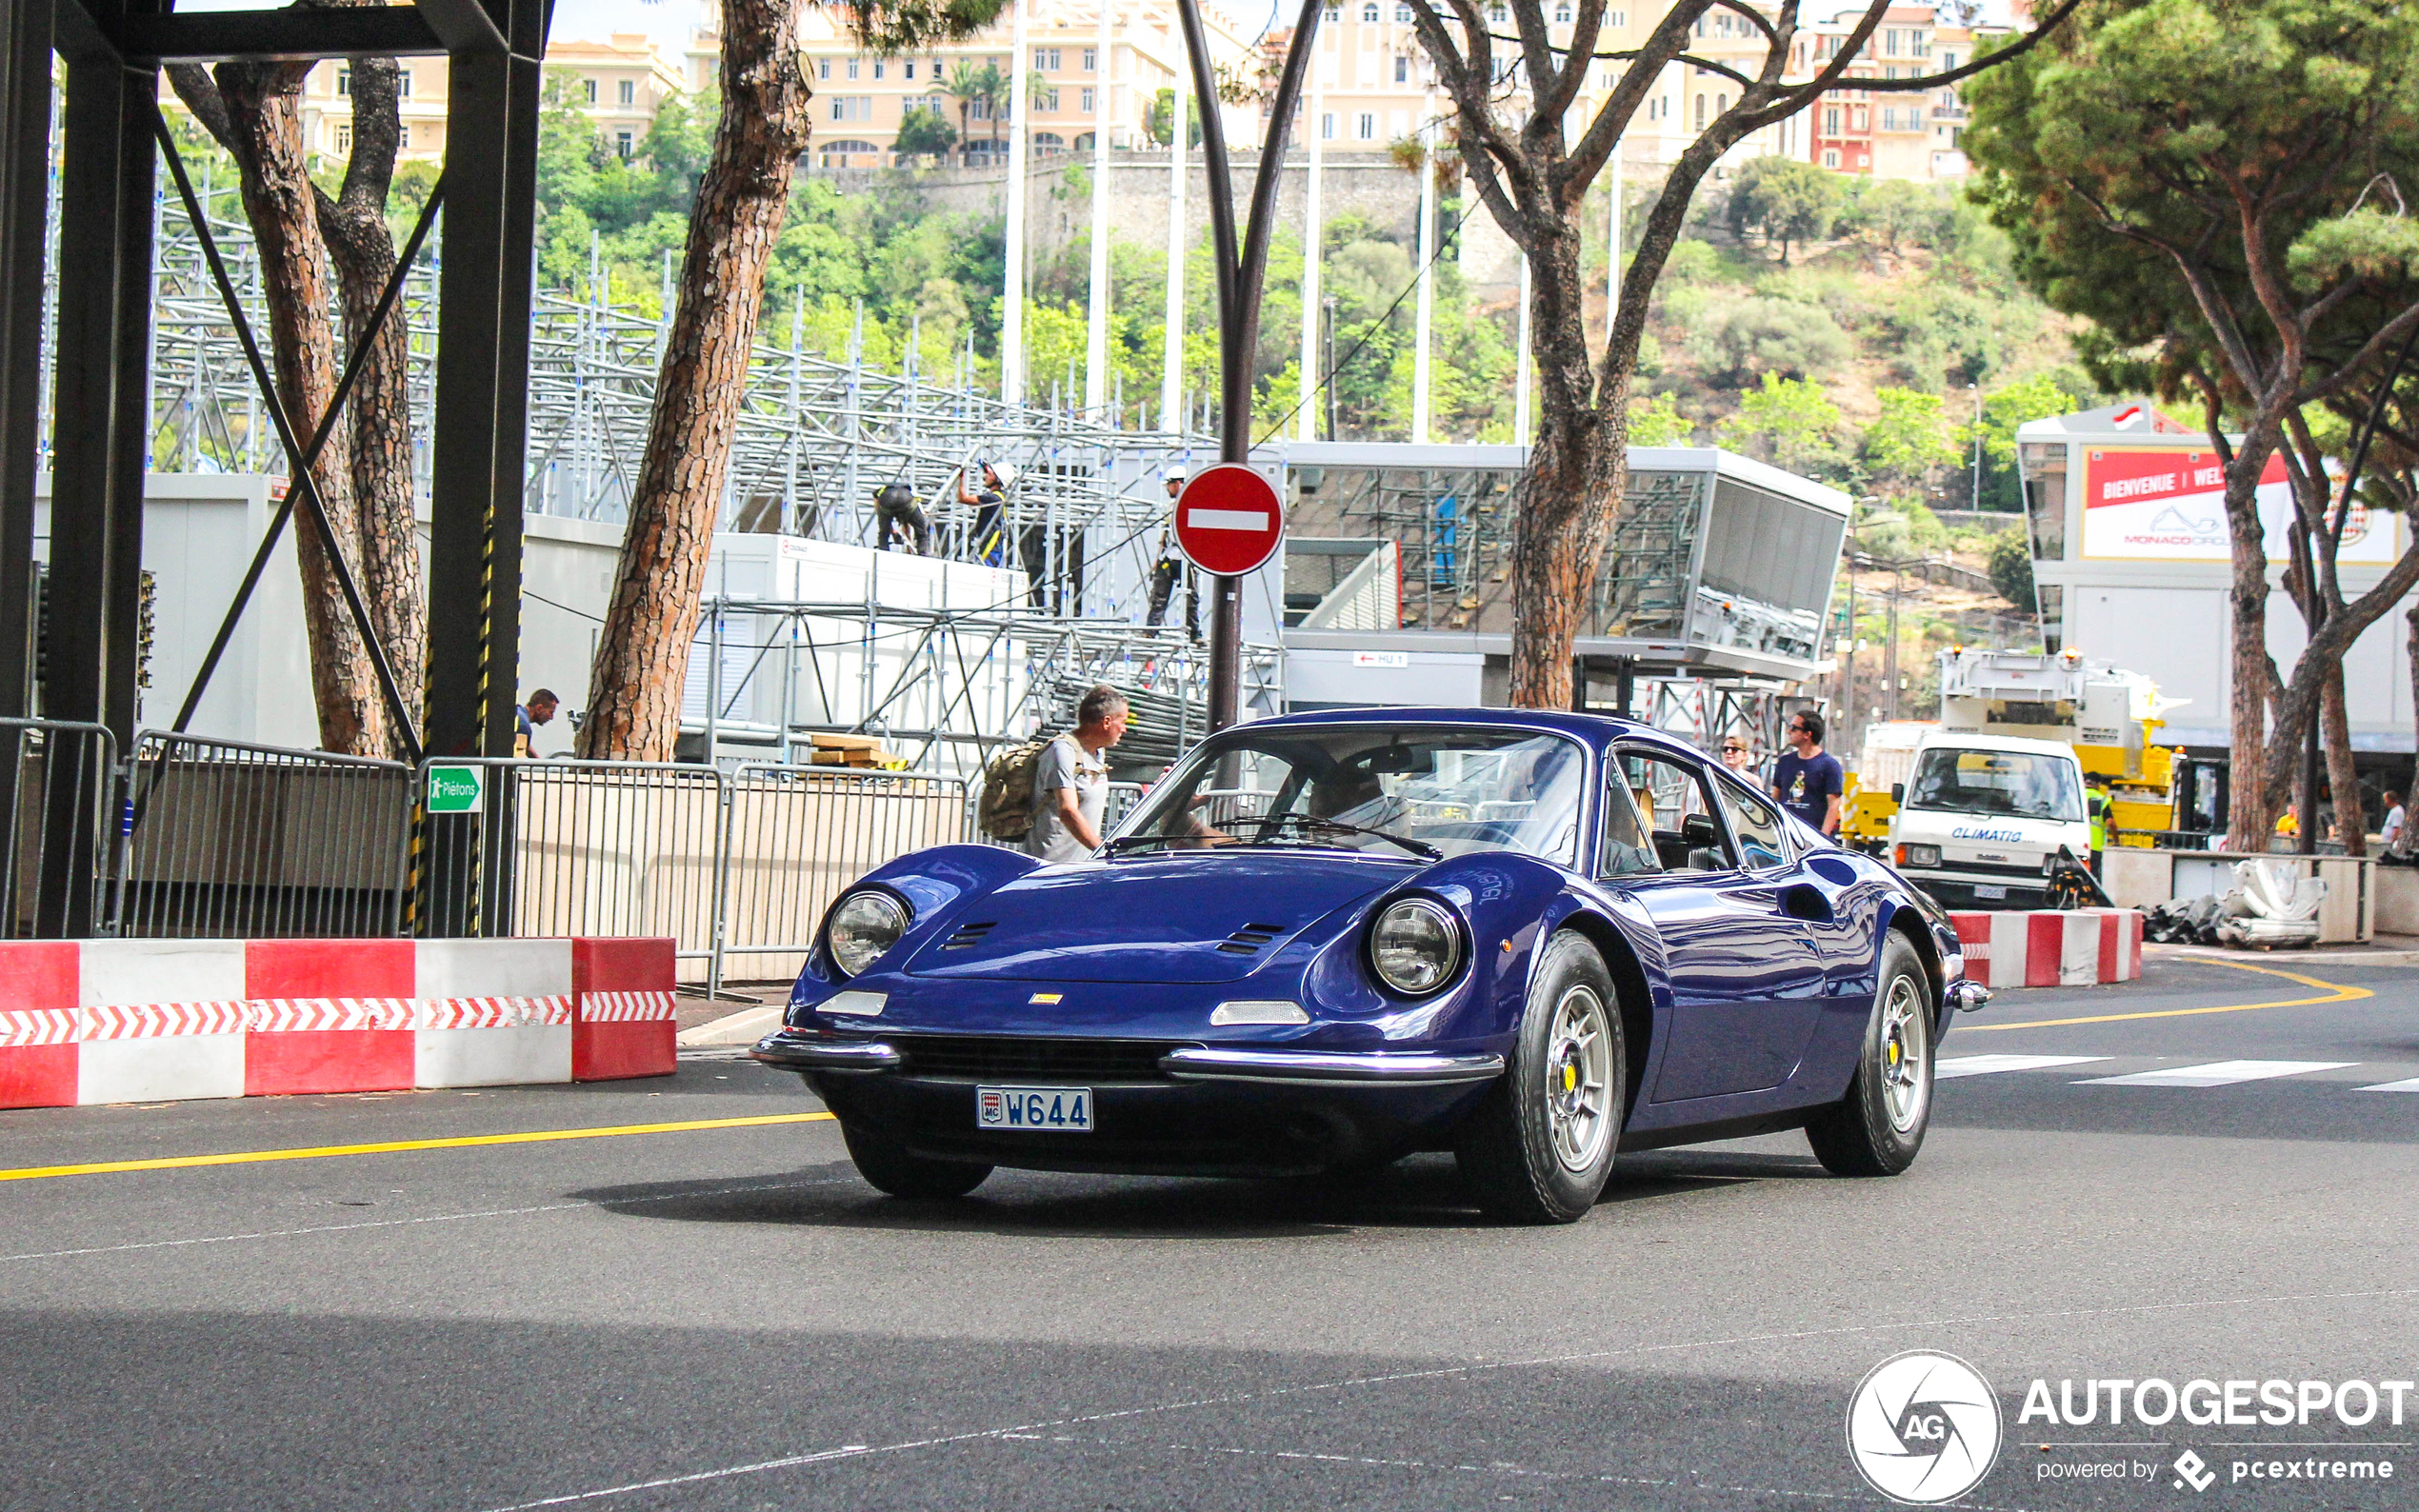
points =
(729, 1320)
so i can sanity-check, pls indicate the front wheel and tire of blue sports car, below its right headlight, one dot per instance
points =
(1542, 1143)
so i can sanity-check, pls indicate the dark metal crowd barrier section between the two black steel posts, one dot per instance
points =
(233, 841)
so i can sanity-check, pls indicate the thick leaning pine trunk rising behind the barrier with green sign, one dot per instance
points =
(645, 647)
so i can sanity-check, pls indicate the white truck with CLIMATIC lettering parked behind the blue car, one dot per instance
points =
(1982, 819)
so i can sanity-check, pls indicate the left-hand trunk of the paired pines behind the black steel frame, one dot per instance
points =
(260, 110)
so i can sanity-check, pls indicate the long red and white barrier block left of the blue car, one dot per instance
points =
(144, 1022)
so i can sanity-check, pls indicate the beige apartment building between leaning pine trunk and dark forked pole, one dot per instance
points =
(860, 98)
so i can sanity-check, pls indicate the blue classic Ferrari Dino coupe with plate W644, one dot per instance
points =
(1332, 940)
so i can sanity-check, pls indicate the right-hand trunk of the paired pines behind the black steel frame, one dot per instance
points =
(362, 250)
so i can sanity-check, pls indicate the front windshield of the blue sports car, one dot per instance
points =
(1366, 787)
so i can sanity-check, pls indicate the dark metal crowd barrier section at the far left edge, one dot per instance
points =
(59, 785)
